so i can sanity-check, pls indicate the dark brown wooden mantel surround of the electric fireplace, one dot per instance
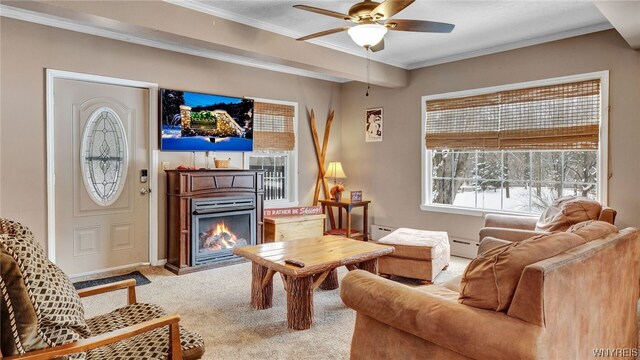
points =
(185, 185)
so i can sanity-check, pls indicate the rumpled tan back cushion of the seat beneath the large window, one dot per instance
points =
(567, 211)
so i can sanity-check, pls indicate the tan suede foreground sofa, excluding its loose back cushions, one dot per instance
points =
(564, 307)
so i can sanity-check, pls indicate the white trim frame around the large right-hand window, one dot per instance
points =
(603, 144)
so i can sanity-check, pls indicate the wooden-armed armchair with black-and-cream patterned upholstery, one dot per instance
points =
(41, 315)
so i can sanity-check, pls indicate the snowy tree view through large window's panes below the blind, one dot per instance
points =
(518, 181)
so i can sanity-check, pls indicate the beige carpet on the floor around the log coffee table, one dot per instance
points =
(215, 303)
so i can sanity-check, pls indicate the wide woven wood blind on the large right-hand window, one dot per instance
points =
(562, 116)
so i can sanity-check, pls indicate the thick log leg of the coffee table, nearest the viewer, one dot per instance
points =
(299, 302)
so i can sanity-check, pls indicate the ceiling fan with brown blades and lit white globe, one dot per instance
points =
(370, 26)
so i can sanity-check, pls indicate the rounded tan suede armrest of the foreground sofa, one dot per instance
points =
(472, 332)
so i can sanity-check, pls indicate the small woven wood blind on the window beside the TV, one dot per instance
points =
(273, 127)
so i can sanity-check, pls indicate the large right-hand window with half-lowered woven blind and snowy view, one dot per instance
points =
(515, 148)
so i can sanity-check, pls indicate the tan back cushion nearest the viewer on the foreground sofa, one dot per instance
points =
(490, 280)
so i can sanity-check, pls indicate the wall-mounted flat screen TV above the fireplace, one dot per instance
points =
(191, 121)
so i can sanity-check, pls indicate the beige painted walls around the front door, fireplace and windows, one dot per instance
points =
(387, 172)
